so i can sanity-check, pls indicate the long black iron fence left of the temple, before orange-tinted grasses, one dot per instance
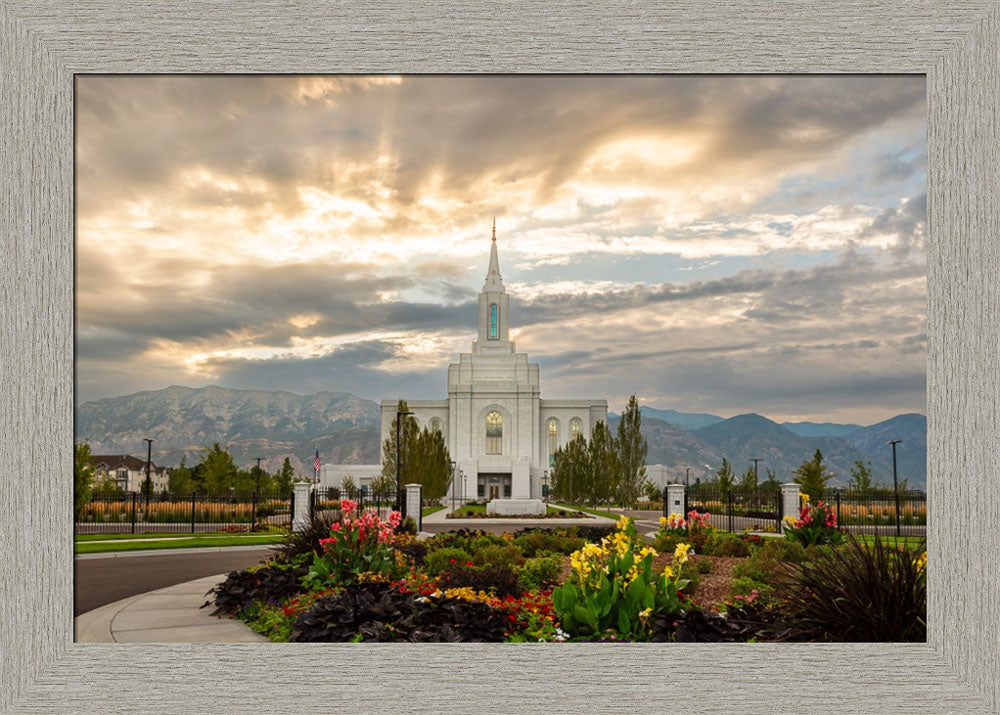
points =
(137, 513)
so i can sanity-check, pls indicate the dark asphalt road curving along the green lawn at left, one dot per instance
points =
(101, 581)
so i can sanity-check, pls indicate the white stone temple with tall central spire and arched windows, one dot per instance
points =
(510, 458)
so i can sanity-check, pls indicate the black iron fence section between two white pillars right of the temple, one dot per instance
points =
(737, 508)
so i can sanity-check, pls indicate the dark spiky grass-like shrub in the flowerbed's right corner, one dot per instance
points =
(858, 593)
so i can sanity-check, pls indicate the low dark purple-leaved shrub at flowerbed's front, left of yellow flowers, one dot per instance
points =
(379, 612)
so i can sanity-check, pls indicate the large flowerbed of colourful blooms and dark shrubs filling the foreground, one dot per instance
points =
(364, 578)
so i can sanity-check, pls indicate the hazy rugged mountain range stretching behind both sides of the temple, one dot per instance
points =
(185, 421)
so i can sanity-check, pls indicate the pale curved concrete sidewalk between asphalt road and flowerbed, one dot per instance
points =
(167, 615)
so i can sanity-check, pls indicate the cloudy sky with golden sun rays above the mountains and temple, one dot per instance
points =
(711, 244)
